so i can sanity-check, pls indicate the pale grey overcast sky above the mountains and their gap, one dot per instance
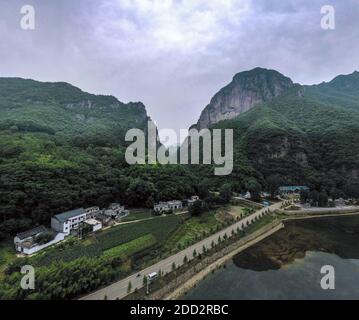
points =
(175, 55)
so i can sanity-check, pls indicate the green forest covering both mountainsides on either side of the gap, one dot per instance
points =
(62, 148)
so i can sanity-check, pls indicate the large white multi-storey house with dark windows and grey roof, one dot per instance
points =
(69, 220)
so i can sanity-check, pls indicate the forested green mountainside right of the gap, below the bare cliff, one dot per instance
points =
(307, 135)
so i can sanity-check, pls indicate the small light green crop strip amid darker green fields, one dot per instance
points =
(131, 247)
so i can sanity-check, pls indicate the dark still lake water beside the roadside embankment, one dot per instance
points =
(295, 273)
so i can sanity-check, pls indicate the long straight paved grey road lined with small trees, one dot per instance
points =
(118, 290)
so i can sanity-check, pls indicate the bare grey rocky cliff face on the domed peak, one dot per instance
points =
(246, 90)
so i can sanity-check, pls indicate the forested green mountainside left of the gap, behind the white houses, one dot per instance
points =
(62, 148)
